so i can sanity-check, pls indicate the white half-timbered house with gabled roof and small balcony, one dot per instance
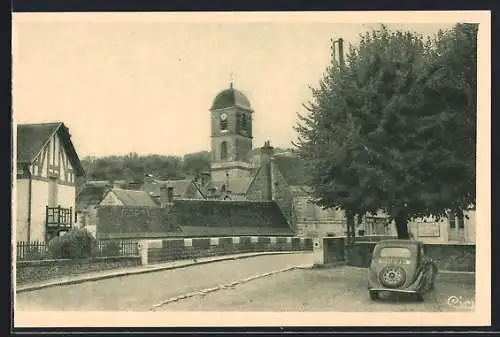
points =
(47, 168)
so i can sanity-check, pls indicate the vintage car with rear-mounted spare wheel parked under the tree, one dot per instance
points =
(401, 266)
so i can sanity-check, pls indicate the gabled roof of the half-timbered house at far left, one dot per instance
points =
(32, 137)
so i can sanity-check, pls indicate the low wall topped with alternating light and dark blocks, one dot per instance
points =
(155, 251)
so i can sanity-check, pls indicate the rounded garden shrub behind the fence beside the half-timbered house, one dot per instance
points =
(76, 244)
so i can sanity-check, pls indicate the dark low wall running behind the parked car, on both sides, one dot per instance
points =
(451, 257)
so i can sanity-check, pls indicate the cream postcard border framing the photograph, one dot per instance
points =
(482, 314)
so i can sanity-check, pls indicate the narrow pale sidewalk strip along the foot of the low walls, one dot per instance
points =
(95, 276)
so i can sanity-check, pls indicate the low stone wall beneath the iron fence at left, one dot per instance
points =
(36, 271)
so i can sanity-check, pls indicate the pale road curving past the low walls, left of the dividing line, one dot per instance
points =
(140, 292)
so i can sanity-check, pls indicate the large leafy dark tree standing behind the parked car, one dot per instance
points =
(393, 128)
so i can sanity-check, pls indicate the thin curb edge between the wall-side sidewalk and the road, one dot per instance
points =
(141, 271)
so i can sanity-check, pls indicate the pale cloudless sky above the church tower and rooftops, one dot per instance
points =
(143, 86)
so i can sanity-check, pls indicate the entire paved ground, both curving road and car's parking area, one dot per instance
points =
(341, 289)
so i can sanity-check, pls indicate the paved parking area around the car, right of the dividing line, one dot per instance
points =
(341, 289)
